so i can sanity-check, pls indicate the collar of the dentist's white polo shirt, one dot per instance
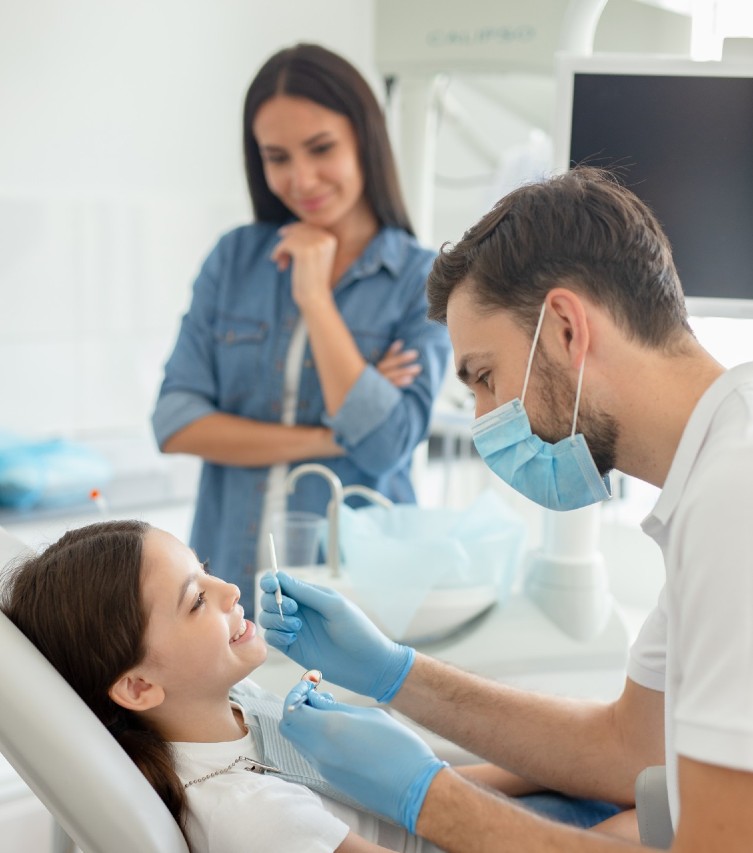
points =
(690, 445)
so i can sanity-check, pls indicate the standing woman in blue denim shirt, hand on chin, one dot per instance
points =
(307, 337)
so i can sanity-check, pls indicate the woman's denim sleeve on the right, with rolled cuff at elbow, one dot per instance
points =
(379, 424)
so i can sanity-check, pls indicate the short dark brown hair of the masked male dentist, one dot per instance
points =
(581, 230)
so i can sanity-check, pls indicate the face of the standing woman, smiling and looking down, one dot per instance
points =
(310, 157)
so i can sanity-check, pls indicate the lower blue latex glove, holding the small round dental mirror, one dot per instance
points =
(362, 751)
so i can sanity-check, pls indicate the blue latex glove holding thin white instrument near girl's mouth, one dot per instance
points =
(323, 630)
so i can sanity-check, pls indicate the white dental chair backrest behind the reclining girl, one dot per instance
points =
(95, 793)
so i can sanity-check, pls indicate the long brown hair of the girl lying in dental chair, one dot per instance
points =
(79, 603)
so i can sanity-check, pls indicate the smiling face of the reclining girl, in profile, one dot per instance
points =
(196, 632)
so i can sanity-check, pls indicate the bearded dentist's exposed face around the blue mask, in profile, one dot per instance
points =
(491, 354)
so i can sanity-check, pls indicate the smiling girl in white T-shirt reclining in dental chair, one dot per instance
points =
(160, 651)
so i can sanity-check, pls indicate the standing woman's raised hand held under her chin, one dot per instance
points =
(311, 251)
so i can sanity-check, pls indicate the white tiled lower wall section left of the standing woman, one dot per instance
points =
(96, 288)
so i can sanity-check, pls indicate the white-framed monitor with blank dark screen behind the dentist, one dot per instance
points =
(680, 135)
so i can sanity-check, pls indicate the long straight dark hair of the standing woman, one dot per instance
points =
(315, 73)
